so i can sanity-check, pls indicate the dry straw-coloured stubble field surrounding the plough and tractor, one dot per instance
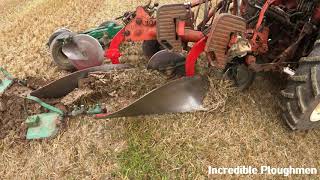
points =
(241, 128)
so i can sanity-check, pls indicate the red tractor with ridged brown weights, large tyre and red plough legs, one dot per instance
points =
(238, 38)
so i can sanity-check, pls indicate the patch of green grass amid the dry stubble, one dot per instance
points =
(139, 161)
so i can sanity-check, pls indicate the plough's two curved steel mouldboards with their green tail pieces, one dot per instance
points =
(47, 124)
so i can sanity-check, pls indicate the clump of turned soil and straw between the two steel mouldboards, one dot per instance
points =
(115, 89)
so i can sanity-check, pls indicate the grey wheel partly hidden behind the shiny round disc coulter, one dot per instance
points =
(60, 59)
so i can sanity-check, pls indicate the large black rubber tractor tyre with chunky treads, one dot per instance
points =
(300, 100)
